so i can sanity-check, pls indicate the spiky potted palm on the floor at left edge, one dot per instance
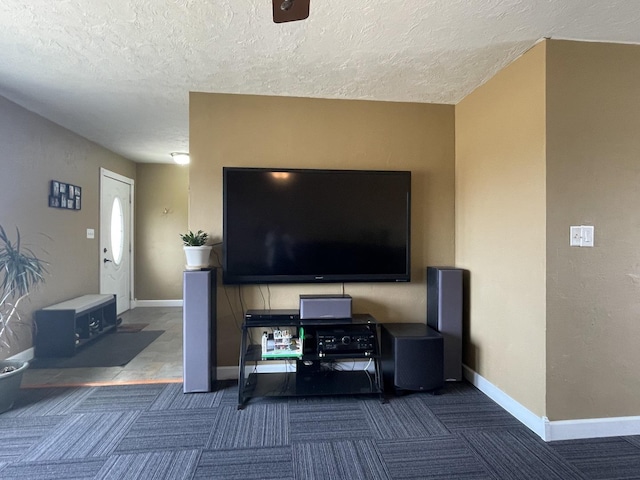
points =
(20, 272)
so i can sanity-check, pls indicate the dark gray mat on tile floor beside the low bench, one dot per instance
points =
(110, 350)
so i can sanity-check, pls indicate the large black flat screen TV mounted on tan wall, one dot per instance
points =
(314, 226)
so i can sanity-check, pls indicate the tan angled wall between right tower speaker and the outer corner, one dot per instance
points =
(500, 227)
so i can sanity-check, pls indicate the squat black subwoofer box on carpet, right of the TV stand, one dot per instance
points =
(412, 357)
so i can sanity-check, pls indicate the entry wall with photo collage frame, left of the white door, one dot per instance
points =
(35, 151)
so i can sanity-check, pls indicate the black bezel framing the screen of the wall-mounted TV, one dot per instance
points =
(239, 279)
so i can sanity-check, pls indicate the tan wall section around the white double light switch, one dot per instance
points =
(593, 164)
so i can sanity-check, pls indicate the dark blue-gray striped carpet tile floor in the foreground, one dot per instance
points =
(157, 432)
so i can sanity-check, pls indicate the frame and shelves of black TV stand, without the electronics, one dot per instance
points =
(312, 376)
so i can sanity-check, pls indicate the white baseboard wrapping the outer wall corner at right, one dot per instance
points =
(556, 430)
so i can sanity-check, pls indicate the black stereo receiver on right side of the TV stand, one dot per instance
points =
(341, 341)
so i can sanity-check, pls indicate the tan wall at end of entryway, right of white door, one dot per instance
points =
(161, 215)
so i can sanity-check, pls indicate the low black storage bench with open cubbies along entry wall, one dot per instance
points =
(63, 328)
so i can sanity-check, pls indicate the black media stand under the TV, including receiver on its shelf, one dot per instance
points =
(324, 365)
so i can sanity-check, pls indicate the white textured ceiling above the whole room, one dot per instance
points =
(119, 72)
